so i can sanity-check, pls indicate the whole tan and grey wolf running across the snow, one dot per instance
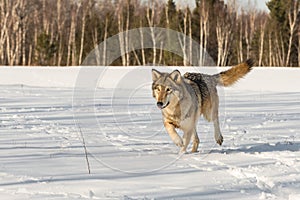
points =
(183, 99)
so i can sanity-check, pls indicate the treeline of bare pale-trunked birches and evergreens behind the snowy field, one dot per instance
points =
(64, 32)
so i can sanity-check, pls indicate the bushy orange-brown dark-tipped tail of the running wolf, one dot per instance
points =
(231, 76)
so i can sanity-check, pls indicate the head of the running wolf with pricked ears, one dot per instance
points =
(166, 88)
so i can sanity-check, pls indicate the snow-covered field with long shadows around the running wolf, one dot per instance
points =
(44, 119)
